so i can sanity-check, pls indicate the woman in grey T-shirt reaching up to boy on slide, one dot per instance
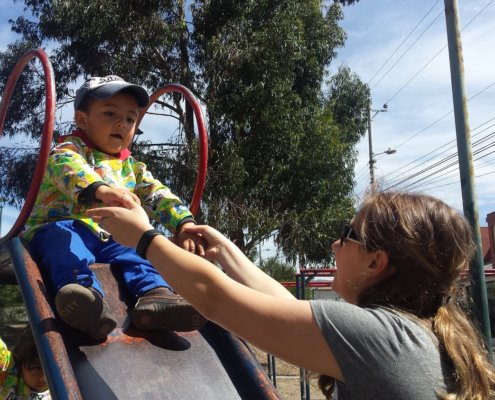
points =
(400, 333)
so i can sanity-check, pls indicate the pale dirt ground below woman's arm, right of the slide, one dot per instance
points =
(288, 378)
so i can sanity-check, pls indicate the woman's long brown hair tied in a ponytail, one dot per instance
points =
(429, 244)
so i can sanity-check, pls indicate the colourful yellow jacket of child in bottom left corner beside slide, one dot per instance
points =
(12, 386)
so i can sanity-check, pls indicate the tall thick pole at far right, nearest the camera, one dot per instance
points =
(466, 169)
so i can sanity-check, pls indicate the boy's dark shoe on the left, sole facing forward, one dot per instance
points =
(84, 309)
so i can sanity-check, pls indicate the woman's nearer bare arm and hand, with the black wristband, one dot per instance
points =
(282, 326)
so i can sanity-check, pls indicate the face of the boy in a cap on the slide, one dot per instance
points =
(110, 124)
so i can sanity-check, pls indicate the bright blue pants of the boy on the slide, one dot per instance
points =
(66, 249)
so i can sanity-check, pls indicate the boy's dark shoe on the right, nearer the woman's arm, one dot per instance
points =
(160, 308)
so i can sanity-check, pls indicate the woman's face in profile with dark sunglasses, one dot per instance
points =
(352, 261)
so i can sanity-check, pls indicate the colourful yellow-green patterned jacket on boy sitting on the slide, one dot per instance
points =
(74, 165)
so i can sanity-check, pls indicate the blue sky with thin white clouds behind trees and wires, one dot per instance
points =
(399, 48)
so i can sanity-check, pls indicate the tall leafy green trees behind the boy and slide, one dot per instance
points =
(281, 149)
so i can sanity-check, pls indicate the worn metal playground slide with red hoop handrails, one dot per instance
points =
(130, 364)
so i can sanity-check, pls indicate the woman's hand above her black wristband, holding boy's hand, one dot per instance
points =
(126, 224)
